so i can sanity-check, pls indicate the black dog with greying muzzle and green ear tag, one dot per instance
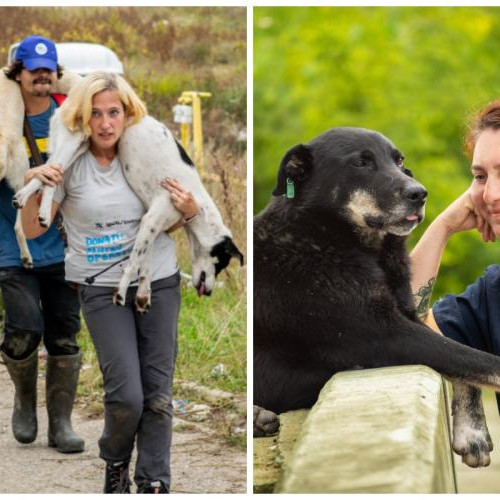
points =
(332, 283)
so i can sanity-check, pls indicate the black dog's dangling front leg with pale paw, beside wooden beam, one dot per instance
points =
(471, 438)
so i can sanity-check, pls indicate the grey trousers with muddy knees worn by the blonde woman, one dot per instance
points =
(136, 356)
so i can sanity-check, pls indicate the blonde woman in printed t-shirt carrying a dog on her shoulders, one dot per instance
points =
(101, 215)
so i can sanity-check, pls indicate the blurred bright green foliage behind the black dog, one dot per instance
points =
(413, 73)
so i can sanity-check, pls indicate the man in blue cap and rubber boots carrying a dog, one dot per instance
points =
(38, 302)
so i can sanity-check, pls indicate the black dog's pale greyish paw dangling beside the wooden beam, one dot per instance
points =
(473, 445)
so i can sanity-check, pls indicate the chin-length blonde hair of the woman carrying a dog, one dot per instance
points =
(76, 110)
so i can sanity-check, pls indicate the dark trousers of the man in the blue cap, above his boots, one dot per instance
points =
(39, 303)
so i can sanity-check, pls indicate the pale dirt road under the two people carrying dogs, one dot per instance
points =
(201, 462)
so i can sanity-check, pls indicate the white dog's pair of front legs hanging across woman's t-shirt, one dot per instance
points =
(160, 216)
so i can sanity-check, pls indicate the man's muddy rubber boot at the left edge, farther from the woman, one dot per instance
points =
(24, 373)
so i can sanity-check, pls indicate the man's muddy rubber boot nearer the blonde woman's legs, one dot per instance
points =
(61, 381)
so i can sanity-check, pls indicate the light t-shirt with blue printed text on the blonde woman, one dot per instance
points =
(101, 216)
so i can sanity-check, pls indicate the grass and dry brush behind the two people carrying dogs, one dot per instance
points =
(167, 50)
